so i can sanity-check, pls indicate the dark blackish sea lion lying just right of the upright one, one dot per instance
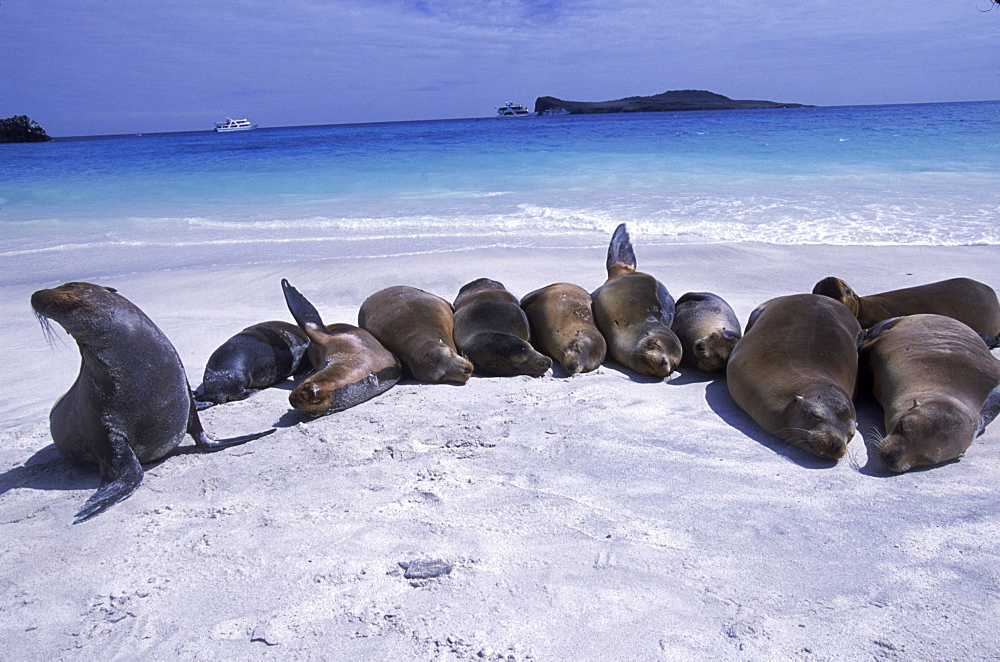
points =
(257, 357)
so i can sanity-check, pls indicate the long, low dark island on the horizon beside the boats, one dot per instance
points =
(668, 101)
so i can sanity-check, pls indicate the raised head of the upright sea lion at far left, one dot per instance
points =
(80, 308)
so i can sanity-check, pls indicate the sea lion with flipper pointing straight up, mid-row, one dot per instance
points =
(634, 312)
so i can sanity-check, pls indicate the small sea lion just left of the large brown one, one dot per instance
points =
(708, 330)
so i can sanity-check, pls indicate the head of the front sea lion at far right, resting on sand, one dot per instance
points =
(928, 433)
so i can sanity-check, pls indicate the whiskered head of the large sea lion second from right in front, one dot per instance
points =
(821, 422)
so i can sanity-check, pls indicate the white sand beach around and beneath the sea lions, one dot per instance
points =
(604, 516)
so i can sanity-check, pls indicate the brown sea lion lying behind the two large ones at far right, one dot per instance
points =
(964, 299)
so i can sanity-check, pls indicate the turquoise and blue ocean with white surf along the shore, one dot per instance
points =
(923, 174)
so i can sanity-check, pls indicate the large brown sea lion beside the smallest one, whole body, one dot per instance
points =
(794, 371)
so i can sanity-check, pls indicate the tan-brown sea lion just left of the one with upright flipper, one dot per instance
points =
(561, 318)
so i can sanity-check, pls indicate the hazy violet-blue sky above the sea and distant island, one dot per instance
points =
(91, 67)
